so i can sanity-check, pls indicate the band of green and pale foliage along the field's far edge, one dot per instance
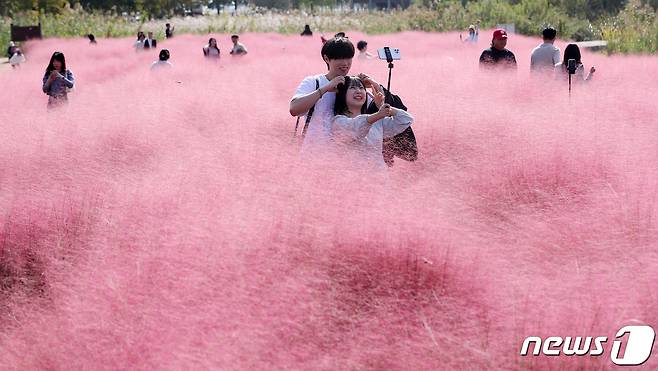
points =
(629, 28)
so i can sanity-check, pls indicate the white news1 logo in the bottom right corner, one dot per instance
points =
(637, 351)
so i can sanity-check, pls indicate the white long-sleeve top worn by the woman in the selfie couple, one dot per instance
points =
(357, 133)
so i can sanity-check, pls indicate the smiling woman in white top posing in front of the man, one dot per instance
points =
(356, 129)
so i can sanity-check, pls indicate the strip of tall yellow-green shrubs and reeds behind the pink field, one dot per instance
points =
(634, 29)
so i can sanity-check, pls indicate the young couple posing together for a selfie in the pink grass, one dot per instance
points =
(354, 113)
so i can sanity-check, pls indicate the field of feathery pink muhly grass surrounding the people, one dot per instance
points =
(167, 220)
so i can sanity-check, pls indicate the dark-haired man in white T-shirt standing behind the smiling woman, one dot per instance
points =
(316, 94)
